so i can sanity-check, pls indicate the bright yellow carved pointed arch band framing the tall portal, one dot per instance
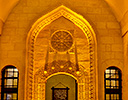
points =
(45, 20)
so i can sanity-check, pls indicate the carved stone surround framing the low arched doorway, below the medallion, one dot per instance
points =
(82, 78)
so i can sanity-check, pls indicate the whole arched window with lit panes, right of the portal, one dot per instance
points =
(113, 84)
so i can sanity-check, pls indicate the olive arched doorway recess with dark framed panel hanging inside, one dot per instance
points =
(60, 82)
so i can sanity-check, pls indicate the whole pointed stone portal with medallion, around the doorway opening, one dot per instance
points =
(45, 58)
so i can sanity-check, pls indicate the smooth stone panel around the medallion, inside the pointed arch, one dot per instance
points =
(43, 43)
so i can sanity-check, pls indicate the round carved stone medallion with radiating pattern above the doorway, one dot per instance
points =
(61, 41)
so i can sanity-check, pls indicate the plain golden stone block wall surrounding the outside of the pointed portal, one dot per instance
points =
(97, 12)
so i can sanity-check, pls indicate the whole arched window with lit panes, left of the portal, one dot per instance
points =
(9, 90)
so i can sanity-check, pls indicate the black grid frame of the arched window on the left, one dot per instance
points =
(9, 89)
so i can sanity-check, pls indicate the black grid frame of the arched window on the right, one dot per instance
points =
(113, 90)
